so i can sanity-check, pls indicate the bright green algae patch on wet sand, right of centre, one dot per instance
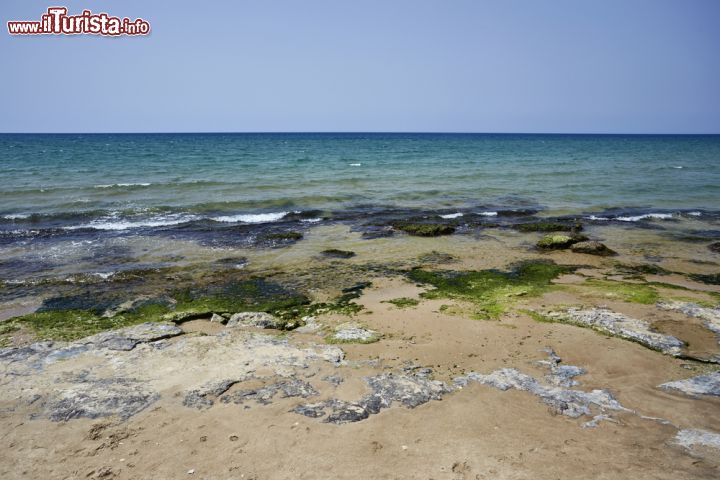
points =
(492, 291)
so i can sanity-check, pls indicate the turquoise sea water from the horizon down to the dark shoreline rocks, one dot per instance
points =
(124, 180)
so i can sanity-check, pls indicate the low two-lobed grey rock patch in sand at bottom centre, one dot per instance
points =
(408, 390)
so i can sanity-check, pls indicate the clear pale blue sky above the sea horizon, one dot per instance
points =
(649, 66)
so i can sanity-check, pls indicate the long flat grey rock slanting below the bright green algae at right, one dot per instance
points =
(622, 326)
